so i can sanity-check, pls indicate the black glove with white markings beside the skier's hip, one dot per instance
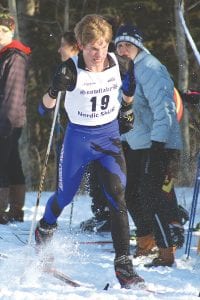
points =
(126, 117)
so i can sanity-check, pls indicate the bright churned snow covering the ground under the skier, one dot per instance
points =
(89, 264)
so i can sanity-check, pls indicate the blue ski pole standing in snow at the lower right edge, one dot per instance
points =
(193, 210)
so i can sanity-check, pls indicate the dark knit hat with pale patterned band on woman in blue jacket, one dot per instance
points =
(129, 33)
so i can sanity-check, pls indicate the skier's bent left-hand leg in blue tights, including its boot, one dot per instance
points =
(73, 159)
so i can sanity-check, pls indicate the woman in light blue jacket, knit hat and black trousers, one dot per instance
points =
(151, 145)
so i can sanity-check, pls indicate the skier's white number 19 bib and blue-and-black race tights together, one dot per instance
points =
(93, 136)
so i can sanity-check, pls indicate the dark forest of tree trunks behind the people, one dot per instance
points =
(40, 24)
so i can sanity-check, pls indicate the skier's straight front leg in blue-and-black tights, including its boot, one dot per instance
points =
(113, 173)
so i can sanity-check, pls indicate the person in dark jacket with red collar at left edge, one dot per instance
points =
(13, 78)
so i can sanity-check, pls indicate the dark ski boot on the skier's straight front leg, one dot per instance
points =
(125, 273)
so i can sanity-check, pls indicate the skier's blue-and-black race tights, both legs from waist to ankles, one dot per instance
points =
(83, 144)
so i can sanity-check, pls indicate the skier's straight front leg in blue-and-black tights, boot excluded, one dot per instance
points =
(113, 174)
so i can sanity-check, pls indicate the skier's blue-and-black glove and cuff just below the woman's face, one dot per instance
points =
(128, 81)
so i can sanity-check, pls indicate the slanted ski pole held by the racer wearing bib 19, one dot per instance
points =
(43, 174)
